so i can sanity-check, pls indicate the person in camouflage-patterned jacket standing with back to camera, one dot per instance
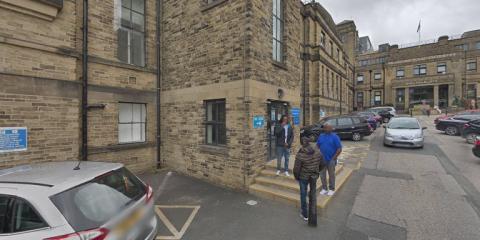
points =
(308, 164)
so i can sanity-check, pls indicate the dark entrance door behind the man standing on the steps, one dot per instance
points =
(275, 111)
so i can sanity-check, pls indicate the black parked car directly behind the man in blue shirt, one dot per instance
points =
(347, 127)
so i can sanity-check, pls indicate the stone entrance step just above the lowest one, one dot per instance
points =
(269, 178)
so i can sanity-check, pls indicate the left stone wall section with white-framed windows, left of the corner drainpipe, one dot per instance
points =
(41, 77)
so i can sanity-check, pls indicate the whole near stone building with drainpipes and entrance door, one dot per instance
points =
(228, 70)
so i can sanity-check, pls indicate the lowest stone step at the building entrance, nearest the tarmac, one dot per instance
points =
(289, 196)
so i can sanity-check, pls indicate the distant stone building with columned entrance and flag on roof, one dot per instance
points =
(440, 73)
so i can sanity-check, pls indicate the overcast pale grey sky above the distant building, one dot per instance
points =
(396, 21)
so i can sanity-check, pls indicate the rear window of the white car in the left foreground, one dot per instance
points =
(92, 204)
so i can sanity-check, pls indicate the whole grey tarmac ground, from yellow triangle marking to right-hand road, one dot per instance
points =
(430, 193)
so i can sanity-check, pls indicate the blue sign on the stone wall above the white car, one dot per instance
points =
(13, 139)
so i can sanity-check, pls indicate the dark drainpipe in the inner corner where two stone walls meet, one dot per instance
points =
(158, 87)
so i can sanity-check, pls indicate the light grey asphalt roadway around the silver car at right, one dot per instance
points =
(424, 193)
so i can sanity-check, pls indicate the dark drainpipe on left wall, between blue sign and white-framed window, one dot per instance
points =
(85, 83)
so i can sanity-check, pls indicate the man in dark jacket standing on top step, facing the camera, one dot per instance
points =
(284, 140)
